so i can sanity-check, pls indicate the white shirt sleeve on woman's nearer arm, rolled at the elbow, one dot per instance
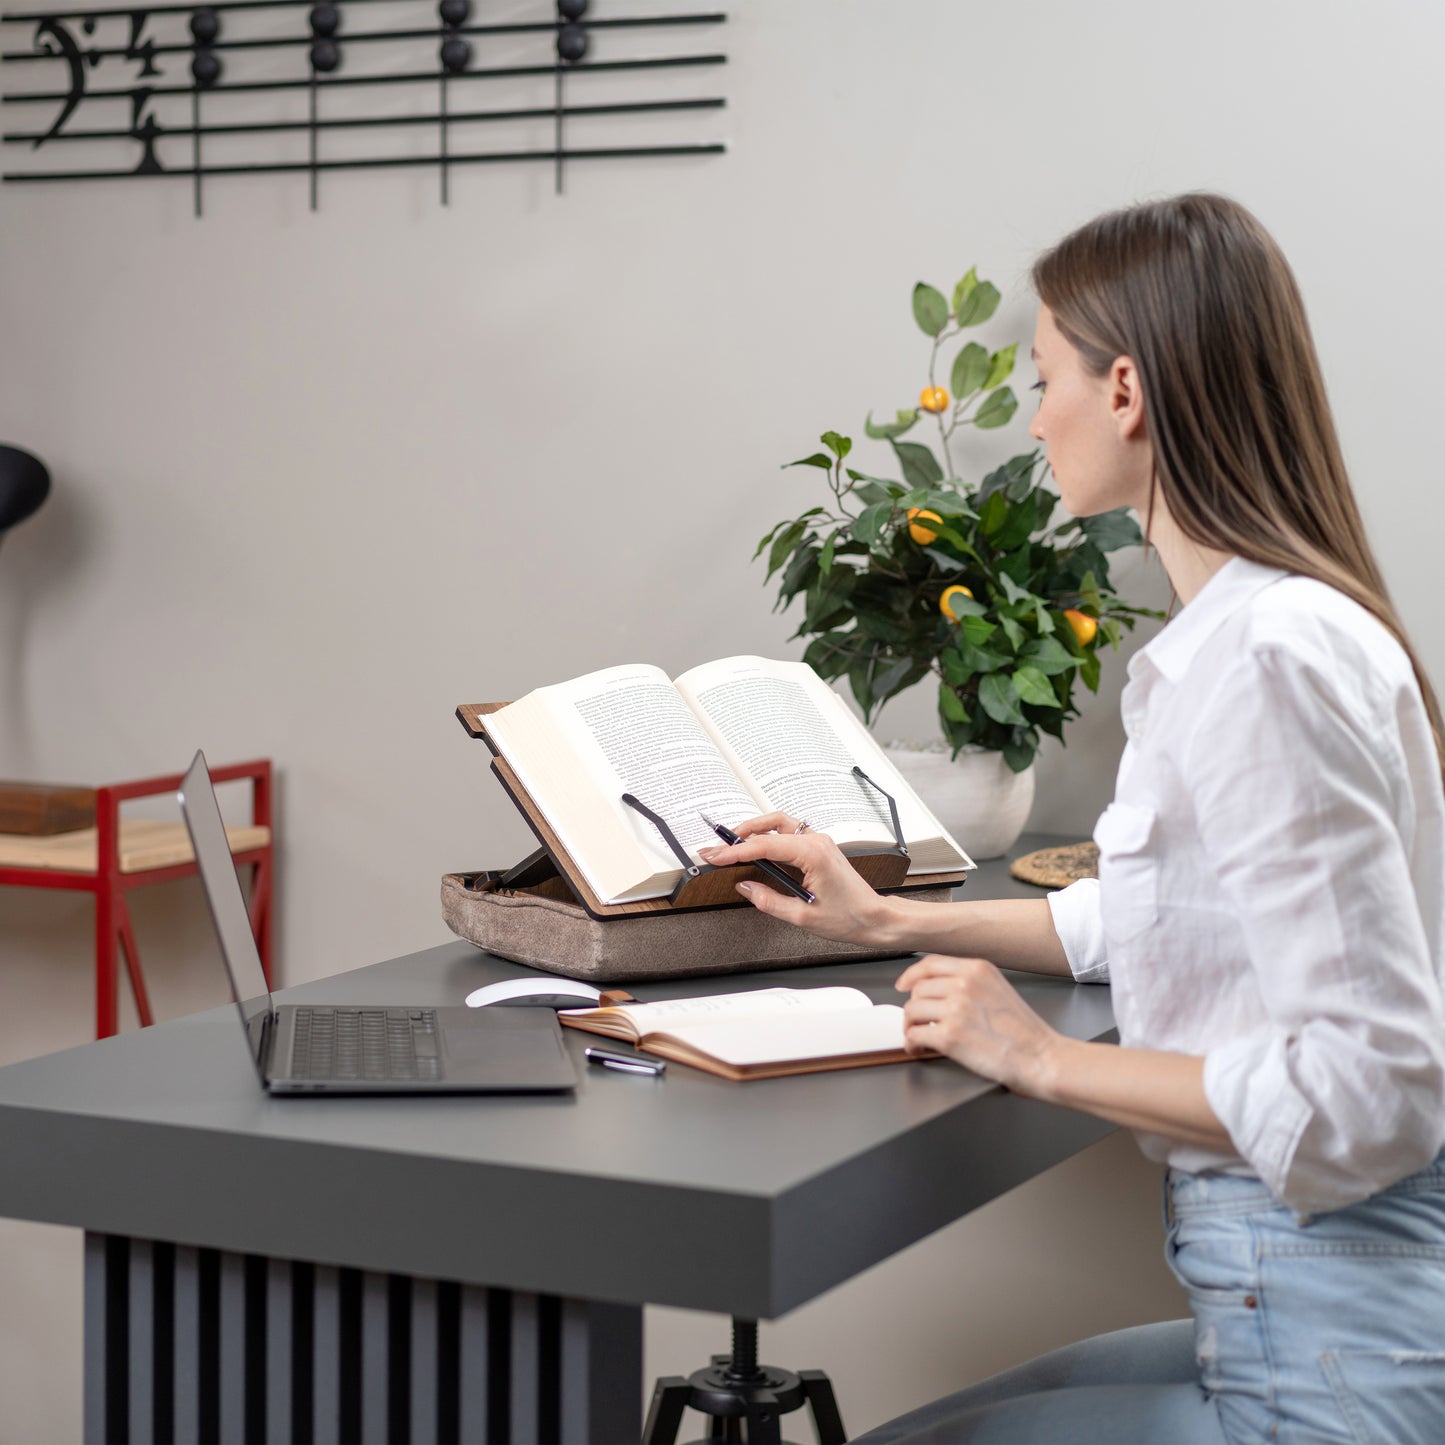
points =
(1342, 1076)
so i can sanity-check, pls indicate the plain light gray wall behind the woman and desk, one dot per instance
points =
(322, 478)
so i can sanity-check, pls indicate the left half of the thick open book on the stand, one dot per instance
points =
(579, 746)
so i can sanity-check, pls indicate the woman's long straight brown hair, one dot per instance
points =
(1196, 291)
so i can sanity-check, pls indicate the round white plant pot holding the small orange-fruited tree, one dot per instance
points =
(976, 797)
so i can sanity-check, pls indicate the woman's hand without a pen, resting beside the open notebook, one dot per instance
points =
(966, 1009)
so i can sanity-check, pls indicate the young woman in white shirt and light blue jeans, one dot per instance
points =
(1271, 902)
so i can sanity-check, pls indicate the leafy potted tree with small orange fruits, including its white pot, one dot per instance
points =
(980, 586)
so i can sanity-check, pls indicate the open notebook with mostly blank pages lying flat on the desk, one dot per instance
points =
(758, 1035)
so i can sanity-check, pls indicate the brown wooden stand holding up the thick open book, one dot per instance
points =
(553, 874)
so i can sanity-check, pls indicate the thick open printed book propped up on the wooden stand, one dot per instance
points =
(730, 739)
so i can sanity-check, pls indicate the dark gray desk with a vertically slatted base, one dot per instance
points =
(476, 1268)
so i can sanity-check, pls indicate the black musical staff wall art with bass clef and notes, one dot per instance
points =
(323, 86)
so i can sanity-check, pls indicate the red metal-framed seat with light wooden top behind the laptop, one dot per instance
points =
(119, 855)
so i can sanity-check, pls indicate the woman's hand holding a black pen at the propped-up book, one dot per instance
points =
(846, 910)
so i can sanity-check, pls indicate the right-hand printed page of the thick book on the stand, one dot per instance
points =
(794, 739)
